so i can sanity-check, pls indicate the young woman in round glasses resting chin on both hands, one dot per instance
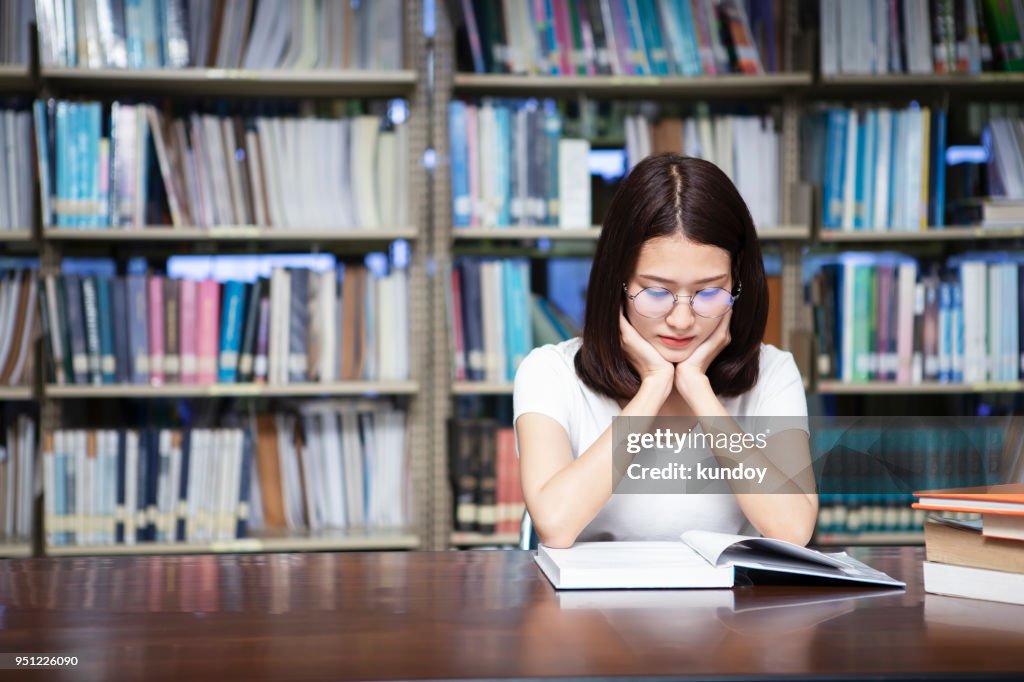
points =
(676, 310)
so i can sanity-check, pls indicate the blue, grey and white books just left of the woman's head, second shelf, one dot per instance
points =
(511, 166)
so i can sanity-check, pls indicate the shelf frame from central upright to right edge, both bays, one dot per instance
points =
(796, 92)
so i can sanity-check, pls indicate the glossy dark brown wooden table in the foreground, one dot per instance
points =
(480, 615)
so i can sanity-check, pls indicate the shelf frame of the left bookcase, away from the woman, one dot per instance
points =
(182, 87)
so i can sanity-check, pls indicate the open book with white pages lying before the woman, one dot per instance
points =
(704, 560)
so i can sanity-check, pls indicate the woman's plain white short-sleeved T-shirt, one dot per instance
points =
(547, 383)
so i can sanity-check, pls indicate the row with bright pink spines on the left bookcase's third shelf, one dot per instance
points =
(294, 326)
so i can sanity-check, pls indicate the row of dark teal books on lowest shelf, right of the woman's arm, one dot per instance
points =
(867, 476)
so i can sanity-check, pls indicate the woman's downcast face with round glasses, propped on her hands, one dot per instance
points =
(685, 269)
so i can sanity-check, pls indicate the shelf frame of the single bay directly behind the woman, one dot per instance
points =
(783, 91)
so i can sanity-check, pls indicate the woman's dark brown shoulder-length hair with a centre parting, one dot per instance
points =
(664, 196)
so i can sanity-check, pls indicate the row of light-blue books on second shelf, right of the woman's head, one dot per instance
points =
(881, 169)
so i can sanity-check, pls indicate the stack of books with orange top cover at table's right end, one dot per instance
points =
(982, 560)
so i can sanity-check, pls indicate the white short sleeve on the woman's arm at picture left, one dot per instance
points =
(544, 386)
